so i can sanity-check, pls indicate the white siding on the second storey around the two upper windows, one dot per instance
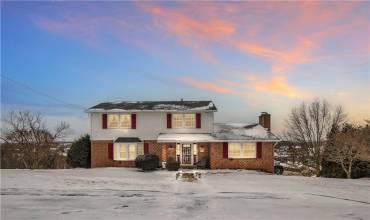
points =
(148, 126)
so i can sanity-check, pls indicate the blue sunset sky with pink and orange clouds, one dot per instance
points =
(59, 58)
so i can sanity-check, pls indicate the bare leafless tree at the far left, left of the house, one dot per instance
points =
(27, 133)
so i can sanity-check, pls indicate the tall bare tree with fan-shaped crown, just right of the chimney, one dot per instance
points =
(309, 124)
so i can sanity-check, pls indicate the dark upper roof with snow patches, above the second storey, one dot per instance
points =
(168, 106)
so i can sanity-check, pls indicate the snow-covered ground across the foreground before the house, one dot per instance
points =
(124, 193)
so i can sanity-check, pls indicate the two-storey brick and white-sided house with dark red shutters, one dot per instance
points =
(184, 130)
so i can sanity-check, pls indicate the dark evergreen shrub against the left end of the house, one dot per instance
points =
(79, 155)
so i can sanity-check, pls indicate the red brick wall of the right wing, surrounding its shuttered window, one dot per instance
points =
(266, 163)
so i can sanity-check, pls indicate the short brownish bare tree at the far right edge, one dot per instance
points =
(348, 145)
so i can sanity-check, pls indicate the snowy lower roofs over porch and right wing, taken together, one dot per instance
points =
(223, 132)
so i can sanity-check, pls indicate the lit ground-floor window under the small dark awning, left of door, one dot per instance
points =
(127, 151)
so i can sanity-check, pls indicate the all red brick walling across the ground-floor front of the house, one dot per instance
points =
(99, 156)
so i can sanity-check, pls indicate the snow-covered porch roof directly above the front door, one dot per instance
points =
(181, 137)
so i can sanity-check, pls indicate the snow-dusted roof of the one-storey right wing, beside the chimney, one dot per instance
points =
(222, 131)
